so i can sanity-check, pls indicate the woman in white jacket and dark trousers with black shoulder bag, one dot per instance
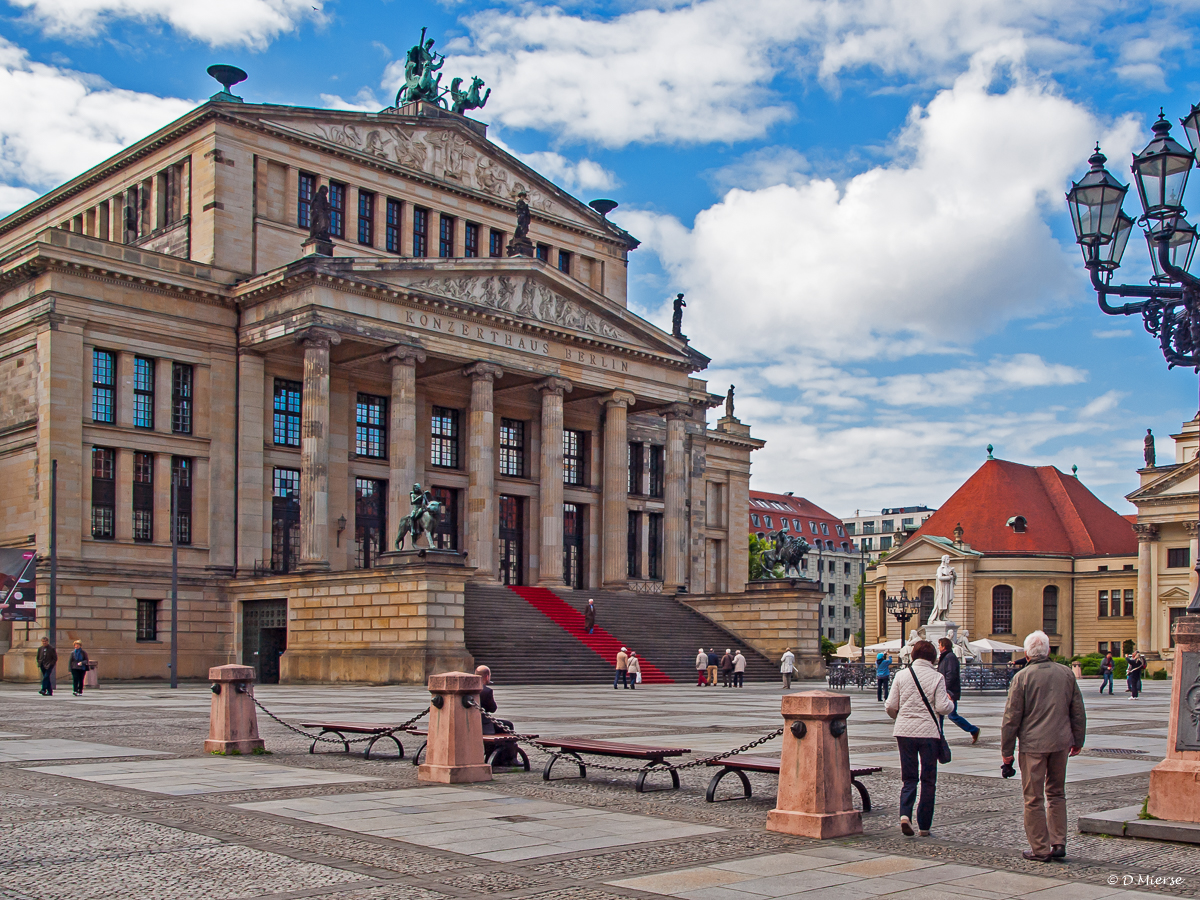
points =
(919, 734)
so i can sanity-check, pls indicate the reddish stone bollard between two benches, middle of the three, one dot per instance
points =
(454, 753)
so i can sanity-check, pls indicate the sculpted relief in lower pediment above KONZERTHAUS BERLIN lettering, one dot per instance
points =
(523, 297)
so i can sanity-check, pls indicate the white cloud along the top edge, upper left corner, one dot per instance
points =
(219, 23)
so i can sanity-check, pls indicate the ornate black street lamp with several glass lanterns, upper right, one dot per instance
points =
(1171, 305)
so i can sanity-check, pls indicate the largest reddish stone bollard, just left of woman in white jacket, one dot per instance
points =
(814, 775)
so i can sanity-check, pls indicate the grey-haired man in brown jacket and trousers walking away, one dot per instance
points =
(1046, 717)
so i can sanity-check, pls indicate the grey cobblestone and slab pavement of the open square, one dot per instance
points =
(111, 796)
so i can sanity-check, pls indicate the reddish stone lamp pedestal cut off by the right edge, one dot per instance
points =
(1175, 782)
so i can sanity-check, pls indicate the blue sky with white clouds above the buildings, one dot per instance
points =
(861, 199)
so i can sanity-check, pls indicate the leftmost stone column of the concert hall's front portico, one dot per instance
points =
(315, 451)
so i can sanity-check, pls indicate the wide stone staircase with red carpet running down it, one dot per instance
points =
(539, 639)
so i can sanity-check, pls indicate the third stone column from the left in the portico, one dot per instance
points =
(482, 471)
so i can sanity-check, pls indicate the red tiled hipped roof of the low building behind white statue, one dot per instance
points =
(1063, 517)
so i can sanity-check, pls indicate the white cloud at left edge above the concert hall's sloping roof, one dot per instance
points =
(56, 123)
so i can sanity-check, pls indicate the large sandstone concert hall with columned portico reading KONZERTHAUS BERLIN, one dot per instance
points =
(161, 322)
